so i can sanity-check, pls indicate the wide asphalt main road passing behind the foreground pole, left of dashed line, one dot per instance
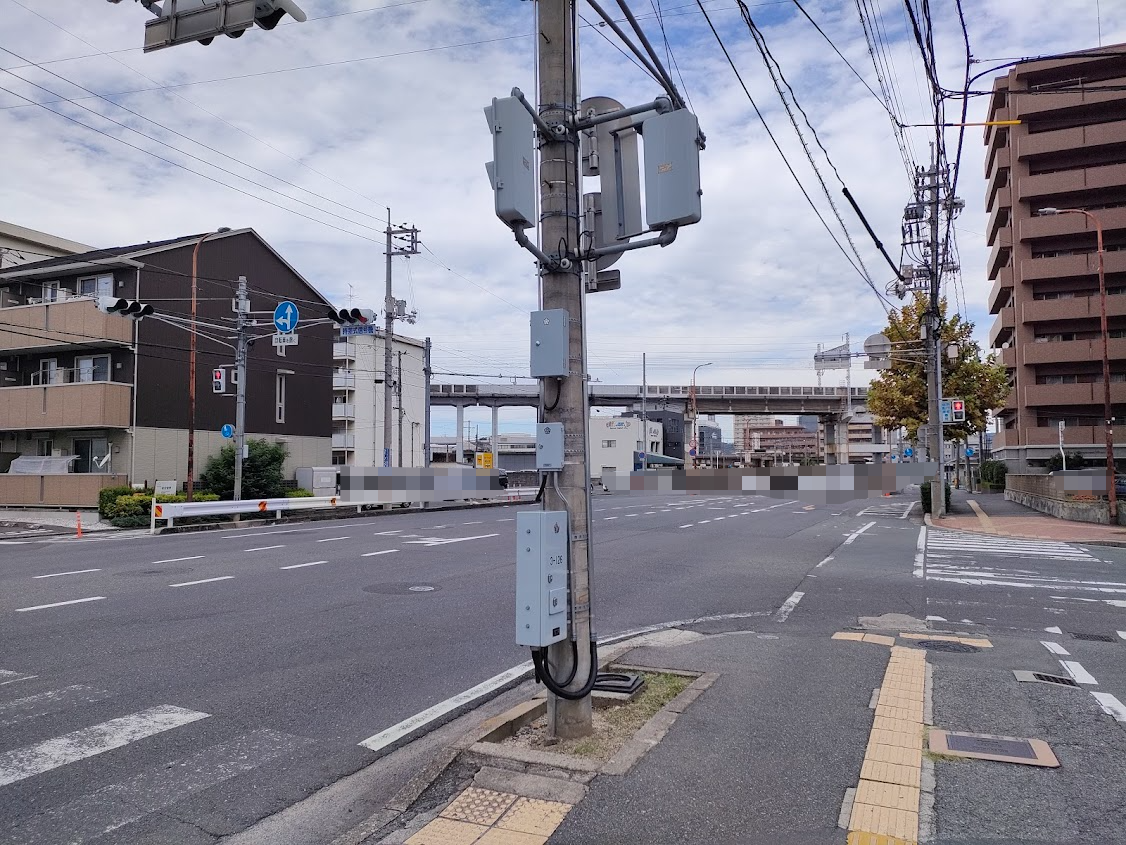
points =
(178, 689)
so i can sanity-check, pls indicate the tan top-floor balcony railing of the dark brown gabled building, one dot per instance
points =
(65, 323)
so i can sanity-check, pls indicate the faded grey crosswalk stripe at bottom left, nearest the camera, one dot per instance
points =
(118, 805)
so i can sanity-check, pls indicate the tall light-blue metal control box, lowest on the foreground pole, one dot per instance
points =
(541, 577)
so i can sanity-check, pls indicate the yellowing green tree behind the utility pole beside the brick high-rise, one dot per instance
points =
(899, 397)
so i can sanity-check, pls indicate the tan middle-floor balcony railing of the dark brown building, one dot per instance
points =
(76, 405)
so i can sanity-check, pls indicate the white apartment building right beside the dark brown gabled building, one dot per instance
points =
(358, 399)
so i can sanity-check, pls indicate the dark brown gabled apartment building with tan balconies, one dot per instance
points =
(110, 395)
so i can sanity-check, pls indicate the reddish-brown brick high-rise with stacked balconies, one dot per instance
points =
(1068, 153)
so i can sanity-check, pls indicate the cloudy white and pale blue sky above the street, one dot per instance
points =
(754, 288)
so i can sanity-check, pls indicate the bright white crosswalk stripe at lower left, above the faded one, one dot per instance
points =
(78, 745)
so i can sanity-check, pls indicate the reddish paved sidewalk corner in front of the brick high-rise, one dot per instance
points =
(993, 514)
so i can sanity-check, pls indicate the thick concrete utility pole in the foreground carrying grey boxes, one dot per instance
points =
(561, 288)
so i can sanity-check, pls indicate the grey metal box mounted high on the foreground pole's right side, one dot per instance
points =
(673, 170)
